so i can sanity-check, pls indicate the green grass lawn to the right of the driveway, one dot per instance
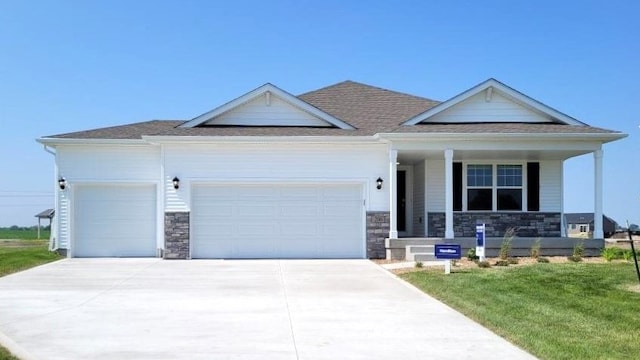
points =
(554, 311)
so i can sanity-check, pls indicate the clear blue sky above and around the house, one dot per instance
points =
(76, 65)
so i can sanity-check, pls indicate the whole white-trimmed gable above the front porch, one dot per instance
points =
(492, 102)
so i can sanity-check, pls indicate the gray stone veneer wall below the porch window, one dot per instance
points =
(527, 224)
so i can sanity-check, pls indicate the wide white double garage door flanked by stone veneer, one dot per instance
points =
(277, 221)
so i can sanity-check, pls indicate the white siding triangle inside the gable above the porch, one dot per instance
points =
(494, 108)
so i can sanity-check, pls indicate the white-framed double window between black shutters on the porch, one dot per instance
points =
(492, 188)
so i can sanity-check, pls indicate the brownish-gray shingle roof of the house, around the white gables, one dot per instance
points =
(369, 109)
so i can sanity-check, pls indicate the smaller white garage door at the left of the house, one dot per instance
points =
(114, 221)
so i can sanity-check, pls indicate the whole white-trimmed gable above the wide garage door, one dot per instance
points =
(267, 105)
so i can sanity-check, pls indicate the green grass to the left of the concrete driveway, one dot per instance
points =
(18, 255)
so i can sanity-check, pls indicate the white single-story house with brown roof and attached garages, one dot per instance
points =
(331, 173)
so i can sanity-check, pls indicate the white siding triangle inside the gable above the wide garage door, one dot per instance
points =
(267, 110)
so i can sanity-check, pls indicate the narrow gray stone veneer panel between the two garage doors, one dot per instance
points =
(176, 235)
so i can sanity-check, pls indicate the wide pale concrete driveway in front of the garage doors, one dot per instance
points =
(214, 309)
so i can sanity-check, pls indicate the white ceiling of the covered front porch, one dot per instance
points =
(414, 156)
